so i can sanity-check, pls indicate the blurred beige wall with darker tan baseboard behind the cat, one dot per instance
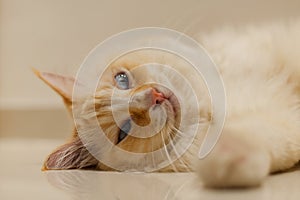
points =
(56, 35)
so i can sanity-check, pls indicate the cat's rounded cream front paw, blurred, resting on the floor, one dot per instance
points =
(235, 161)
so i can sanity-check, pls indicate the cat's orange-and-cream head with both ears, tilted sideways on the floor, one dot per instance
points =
(136, 112)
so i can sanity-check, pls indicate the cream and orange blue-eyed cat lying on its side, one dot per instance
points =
(260, 67)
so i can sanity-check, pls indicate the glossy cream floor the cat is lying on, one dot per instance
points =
(21, 178)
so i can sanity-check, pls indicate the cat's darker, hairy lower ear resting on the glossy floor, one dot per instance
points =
(72, 155)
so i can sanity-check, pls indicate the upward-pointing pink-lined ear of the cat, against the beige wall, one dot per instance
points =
(63, 85)
